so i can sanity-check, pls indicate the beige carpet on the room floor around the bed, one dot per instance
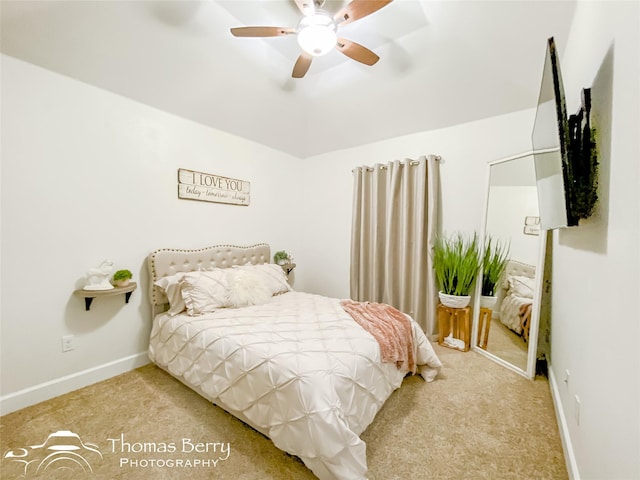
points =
(476, 421)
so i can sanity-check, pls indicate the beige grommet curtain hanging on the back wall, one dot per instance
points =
(394, 224)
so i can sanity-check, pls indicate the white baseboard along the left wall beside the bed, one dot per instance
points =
(53, 388)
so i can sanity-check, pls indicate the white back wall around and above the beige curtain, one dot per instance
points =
(466, 149)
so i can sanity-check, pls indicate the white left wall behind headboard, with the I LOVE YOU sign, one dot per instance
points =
(88, 175)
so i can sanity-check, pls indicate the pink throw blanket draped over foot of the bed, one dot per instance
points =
(391, 329)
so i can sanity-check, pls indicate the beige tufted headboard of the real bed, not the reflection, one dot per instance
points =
(169, 261)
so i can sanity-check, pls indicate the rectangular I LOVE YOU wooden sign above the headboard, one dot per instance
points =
(212, 188)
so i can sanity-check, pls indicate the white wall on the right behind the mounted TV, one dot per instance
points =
(595, 284)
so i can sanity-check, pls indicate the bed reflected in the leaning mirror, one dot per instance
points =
(515, 297)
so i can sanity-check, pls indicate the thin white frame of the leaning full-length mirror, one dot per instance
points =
(532, 348)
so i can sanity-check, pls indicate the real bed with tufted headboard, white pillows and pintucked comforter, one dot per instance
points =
(294, 366)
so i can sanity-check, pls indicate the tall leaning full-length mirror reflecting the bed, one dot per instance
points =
(506, 328)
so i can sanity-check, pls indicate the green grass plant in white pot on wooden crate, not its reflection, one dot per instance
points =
(456, 261)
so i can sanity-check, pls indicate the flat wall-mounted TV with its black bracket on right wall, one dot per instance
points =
(564, 152)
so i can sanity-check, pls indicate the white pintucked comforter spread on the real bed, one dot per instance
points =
(299, 369)
